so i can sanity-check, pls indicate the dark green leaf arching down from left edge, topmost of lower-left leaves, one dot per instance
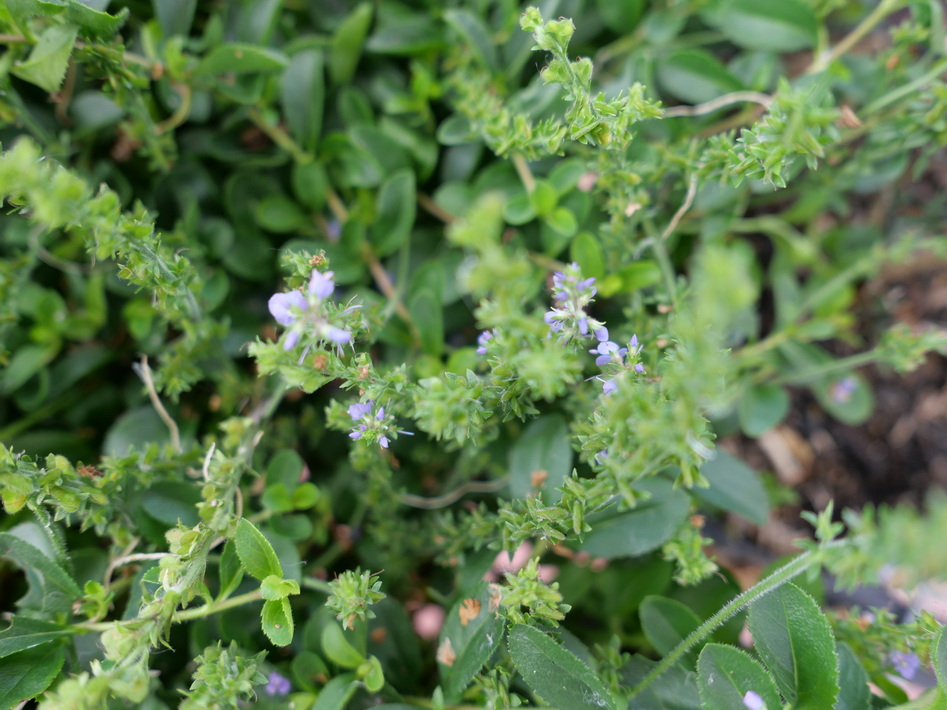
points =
(51, 588)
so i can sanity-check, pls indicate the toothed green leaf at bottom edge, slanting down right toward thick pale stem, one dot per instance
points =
(554, 674)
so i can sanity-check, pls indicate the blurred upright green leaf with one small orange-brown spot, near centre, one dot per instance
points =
(541, 458)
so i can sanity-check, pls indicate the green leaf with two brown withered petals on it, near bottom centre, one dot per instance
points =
(470, 635)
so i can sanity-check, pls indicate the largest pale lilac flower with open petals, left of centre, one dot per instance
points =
(303, 314)
